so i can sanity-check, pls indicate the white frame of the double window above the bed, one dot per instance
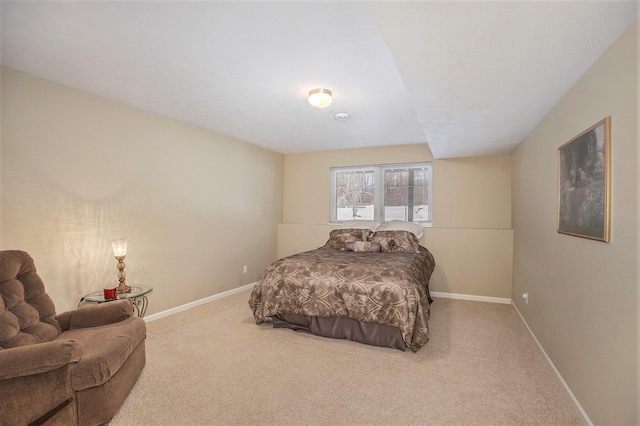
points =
(379, 190)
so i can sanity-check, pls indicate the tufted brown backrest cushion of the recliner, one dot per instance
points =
(27, 313)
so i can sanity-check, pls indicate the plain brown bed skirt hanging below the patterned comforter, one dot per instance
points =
(343, 328)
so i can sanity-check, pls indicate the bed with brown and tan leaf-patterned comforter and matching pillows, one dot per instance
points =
(370, 287)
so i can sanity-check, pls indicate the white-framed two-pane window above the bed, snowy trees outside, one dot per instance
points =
(383, 192)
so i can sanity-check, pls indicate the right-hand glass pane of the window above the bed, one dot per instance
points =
(406, 195)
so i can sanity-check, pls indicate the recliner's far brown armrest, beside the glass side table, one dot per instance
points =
(96, 315)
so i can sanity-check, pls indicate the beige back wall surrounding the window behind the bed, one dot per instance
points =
(471, 213)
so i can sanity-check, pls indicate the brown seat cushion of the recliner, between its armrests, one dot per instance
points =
(104, 350)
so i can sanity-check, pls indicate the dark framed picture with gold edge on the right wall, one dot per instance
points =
(583, 183)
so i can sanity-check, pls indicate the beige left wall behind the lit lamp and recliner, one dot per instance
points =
(79, 170)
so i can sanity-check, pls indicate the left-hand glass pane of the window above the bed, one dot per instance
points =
(354, 195)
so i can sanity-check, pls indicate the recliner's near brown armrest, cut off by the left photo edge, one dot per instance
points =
(38, 358)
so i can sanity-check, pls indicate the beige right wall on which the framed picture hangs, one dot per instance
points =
(583, 294)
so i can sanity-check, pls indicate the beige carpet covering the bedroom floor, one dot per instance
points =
(212, 365)
